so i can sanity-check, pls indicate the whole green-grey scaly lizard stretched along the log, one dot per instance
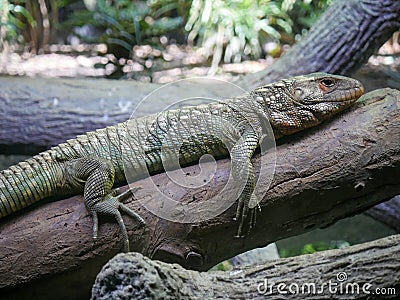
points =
(93, 163)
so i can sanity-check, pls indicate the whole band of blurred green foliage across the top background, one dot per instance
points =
(229, 30)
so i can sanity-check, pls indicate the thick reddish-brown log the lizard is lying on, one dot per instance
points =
(322, 175)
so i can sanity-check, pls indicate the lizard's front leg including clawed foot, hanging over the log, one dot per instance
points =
(243, 172)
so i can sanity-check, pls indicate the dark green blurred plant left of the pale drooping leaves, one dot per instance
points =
(125, 23)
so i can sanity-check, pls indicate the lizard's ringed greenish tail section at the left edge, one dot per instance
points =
(26, 183)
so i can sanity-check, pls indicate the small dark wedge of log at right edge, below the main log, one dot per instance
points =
(388, 213)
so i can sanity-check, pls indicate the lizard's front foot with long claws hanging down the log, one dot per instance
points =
(246, 213)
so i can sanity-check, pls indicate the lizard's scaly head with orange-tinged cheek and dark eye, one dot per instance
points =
(304, 101)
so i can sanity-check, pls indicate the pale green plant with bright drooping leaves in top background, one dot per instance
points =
(236, 28)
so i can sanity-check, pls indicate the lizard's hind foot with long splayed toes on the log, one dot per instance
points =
(112, 205)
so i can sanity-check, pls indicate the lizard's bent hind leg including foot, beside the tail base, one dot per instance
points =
(97, 175)
